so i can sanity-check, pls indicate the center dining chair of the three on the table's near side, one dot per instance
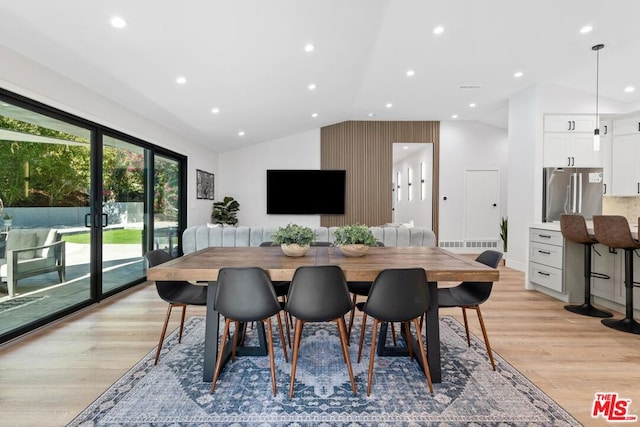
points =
(319, 294)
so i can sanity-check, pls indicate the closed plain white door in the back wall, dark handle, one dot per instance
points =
(482, 205)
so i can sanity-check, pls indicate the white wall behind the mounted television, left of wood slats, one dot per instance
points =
(243, 175)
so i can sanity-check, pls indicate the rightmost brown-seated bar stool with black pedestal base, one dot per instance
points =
(614, 231)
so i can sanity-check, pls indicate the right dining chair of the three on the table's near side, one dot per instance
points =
(397, 295)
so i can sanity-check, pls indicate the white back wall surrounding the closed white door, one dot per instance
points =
(463, 146)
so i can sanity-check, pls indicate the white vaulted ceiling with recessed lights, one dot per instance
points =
(247, 58)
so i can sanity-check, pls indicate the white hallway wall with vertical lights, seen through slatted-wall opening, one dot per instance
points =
(416, 209)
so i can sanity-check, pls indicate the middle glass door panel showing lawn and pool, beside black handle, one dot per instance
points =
(124, 215)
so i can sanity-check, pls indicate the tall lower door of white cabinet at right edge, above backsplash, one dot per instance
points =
(625, 171)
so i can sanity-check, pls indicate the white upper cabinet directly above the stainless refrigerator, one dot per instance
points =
(568, 141)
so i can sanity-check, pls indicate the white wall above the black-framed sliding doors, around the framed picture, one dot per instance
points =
(24, 77)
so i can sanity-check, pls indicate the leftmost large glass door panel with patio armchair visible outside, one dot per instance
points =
(45, 191)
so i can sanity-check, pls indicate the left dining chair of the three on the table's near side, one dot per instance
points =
(245, 294)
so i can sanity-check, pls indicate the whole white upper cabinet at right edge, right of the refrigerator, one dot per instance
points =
(625, 152)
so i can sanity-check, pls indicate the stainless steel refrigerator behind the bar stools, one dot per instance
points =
(572, 191)
